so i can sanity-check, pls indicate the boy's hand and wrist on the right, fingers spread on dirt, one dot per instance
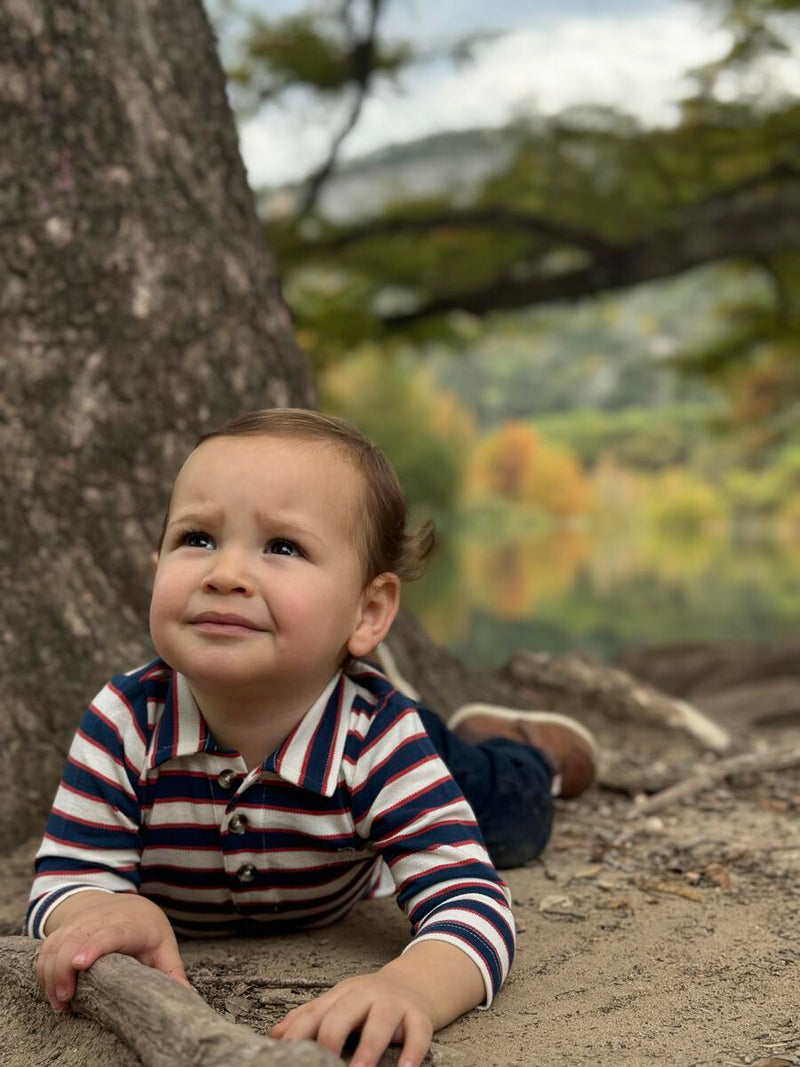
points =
(427, 988)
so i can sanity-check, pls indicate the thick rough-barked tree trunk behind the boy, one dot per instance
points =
(138, 308)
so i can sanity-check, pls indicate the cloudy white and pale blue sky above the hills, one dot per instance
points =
(630, 54)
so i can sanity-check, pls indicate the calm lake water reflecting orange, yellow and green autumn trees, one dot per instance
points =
(605, 592)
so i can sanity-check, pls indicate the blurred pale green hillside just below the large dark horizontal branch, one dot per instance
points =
(616, 353)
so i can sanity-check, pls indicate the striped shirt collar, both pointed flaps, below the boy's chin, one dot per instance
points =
(310, 758)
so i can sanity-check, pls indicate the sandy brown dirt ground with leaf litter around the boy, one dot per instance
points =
(673, 938)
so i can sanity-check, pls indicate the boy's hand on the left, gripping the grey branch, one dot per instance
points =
(92, 925)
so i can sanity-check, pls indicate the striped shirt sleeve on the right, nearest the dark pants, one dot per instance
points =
(408, 806)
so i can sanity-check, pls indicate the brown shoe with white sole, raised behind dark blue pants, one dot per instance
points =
(570, 747)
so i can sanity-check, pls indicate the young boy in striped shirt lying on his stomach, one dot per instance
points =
(260, 775)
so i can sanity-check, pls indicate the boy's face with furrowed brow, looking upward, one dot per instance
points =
(259, 586)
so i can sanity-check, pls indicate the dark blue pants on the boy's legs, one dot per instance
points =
(508, 787)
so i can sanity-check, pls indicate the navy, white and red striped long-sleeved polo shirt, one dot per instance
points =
(355, 803)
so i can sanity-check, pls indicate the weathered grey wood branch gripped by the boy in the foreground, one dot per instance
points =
(164, 1023)
